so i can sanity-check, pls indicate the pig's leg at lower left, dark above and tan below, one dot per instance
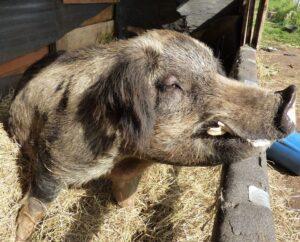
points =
(44, 189)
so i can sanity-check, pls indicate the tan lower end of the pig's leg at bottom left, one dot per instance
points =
(29, 215)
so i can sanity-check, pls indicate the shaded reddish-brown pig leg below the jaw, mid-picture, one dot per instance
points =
(125, 177)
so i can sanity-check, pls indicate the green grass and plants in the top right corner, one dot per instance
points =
(282, 13)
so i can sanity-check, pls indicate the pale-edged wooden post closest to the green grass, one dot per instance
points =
(260, 20)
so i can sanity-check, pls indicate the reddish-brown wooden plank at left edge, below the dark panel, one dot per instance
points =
(20, 64)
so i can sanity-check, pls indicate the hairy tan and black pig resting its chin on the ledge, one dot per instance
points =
(115, 109)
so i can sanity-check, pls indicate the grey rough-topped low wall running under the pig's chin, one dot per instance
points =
(244, 208)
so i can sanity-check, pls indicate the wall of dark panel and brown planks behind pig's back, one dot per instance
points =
(29, 32)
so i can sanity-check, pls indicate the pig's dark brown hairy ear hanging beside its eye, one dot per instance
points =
(128, 100)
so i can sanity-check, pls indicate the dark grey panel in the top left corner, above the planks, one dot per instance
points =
(28, 25)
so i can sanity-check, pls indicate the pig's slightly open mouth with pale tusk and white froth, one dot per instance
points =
(220, 131)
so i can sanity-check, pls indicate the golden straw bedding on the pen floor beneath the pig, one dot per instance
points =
(173, 204)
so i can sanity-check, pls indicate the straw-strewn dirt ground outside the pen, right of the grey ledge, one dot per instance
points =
(278, 69)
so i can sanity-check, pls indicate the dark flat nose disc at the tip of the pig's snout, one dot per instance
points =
(286, 116)
